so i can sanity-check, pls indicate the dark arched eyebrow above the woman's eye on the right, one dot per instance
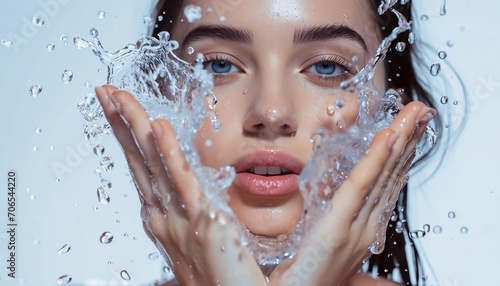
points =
(327, 32)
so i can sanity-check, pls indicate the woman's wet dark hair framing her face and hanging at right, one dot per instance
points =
(401, 75)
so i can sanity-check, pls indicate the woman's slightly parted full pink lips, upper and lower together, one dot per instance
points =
(283, 171)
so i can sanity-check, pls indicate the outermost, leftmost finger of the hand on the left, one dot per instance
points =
(126, 140)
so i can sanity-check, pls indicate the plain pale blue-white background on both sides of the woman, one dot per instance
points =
(53, 213)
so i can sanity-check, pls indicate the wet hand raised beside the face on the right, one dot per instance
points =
(341, 239)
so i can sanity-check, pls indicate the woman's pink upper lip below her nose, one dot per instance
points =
(269, 158)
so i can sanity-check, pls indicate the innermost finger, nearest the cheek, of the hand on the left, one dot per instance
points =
(179, 170)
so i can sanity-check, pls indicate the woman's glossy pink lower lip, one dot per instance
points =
(272, 186)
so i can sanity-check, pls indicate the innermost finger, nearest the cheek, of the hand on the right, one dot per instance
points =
(353, 192)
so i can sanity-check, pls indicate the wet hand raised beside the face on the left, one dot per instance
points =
(200, 244)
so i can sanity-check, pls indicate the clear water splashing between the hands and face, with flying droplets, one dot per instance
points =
(171, 88)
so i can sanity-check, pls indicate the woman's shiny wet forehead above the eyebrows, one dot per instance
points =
(283, 16)
